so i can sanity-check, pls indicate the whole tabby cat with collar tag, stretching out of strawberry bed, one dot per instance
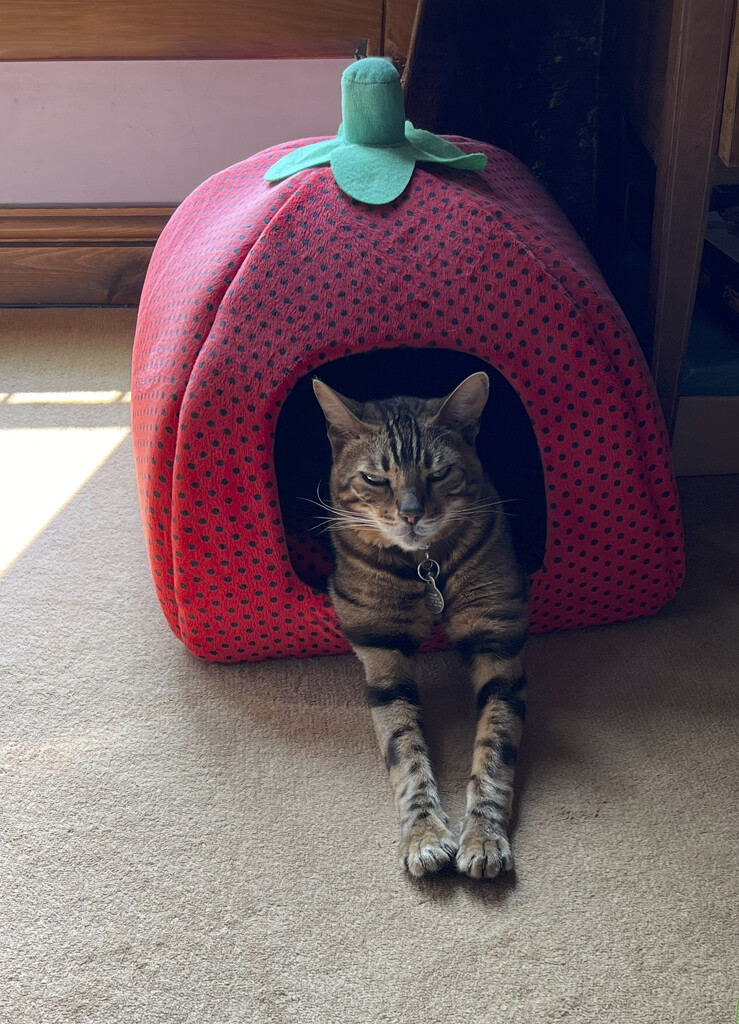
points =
(420, 537)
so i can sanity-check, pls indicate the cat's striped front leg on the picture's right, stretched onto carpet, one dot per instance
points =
(500, 689)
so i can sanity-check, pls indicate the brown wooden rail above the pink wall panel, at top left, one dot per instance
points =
(138, 30)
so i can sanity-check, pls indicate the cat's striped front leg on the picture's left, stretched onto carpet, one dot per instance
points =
(426, 842)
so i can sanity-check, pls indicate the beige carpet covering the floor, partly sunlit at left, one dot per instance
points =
(216, 845)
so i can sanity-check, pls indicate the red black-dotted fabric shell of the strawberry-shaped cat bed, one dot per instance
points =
(253, 286)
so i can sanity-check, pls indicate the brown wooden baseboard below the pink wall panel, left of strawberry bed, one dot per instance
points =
(77, 255)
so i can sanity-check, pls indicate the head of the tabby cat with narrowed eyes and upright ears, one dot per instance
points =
(406, 473)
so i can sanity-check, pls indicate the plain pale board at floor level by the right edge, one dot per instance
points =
(707, 436)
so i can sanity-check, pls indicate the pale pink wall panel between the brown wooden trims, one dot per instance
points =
(151, 132)
